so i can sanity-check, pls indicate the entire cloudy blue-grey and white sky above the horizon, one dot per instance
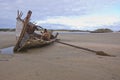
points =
(63, 14)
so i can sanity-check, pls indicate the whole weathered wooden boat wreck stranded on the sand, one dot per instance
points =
(27, 37)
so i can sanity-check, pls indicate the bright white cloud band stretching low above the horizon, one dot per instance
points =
(77, 22)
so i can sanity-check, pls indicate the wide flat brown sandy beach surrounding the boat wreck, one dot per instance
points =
(61, 62)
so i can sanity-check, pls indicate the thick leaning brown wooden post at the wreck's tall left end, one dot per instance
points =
(23, 30)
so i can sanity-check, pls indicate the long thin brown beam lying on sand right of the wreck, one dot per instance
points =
(101, 53)
